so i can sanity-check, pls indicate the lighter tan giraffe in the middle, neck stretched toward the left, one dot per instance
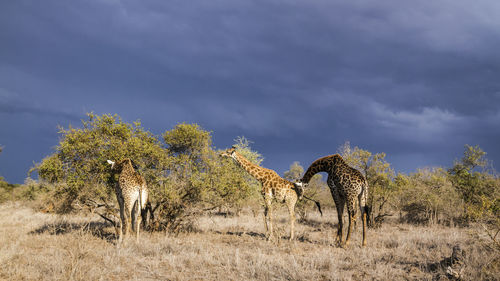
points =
(274, 187)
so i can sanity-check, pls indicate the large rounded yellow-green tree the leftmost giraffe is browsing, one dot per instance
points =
(79, 161)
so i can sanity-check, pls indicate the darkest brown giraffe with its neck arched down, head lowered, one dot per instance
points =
(346, 183)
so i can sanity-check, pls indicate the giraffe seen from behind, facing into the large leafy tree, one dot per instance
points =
(131, 190)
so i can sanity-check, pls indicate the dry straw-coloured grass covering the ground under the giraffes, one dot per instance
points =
(47, 247)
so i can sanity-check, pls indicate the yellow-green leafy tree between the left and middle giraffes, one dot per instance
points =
(201, 176)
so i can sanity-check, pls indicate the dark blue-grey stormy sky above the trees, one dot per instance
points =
(415, 79)
